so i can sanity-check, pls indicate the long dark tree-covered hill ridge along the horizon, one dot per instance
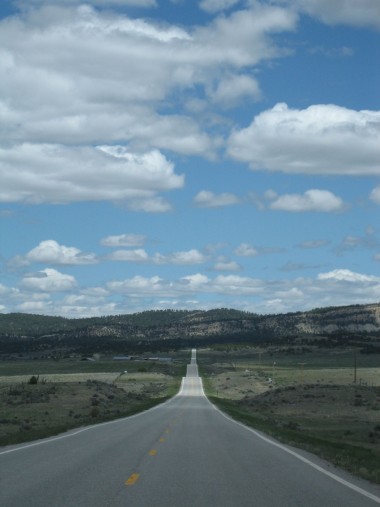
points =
(155, 330)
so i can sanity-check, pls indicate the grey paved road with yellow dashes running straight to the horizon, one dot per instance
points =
(184, 453)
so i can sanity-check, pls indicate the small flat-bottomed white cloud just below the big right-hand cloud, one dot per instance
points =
(312, 200)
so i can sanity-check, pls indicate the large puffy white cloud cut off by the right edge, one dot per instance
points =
(322, 139)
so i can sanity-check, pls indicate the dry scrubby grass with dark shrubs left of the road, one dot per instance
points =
(62, 401)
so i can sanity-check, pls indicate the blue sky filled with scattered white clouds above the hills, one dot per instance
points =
(189, 154)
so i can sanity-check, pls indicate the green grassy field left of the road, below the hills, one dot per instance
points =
(43, 398)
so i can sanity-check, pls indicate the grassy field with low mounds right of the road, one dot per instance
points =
(310, 401)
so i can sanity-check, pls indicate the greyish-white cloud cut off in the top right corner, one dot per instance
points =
(351, 12)
